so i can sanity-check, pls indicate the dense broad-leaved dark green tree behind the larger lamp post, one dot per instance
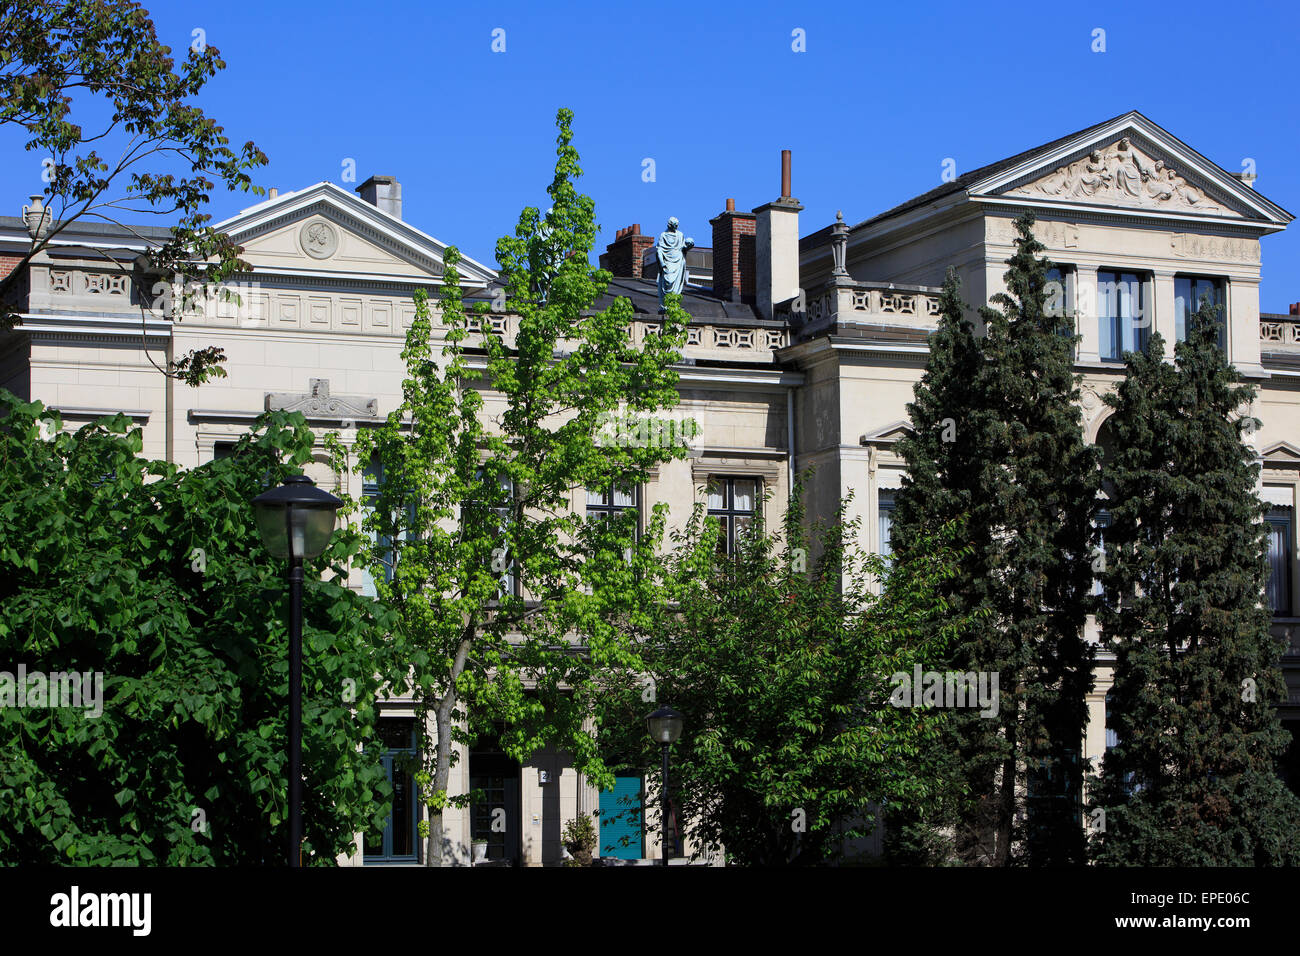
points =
(157, 581)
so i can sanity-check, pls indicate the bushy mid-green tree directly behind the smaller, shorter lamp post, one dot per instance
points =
(782, 669)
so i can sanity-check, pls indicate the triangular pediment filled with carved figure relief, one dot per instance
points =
(1130, 166)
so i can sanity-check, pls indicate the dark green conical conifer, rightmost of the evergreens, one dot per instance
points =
(1193, 781)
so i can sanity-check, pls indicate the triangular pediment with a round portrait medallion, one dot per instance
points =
(327, 230)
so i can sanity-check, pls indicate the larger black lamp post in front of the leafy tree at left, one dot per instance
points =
(296, 522)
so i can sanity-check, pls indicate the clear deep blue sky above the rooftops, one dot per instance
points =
(712, 93)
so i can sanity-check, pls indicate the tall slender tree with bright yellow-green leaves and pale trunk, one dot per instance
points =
(499, 585)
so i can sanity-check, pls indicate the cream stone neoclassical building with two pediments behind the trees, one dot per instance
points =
(803, 352)
